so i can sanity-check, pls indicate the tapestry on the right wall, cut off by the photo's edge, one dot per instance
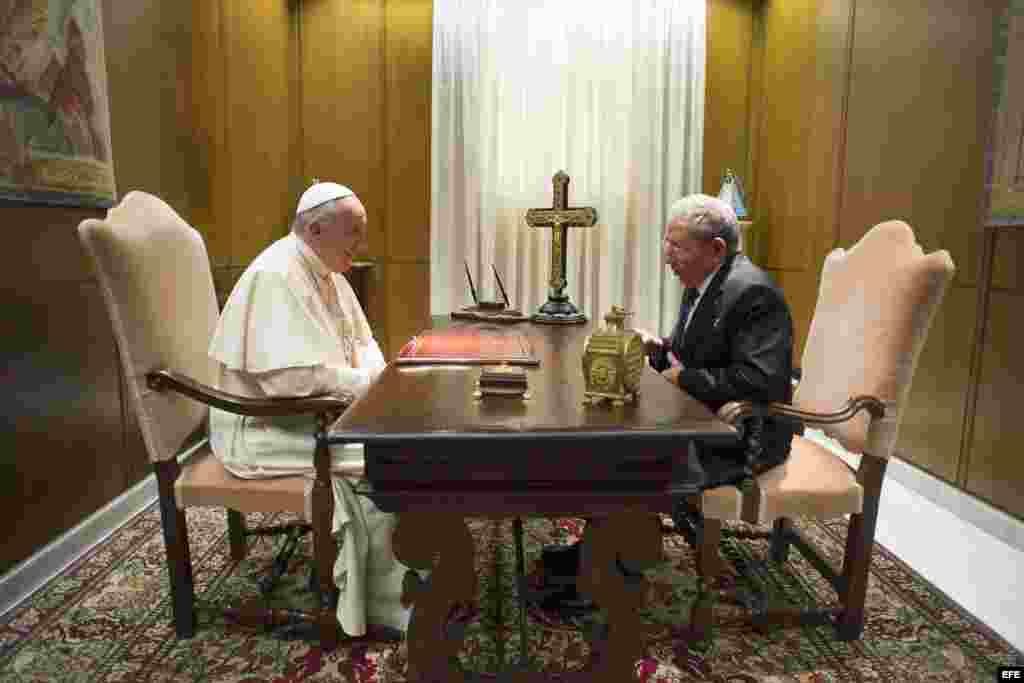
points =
(1006, 170)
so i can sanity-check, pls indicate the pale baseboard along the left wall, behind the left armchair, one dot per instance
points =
(33, 574)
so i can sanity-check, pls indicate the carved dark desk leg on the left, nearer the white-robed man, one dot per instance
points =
(420, 538)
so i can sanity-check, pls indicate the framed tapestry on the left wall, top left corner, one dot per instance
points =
(55, 115)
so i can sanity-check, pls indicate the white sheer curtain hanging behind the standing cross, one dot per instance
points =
(612, 94)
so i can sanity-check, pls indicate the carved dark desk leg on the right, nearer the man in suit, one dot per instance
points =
(636, 540)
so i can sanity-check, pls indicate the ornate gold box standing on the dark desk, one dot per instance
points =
(613, 362)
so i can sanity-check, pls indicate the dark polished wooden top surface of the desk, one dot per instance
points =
(437, 403)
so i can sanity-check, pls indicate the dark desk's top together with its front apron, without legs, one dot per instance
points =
(431, 445)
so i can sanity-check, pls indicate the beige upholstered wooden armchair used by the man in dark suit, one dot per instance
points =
(875, 308)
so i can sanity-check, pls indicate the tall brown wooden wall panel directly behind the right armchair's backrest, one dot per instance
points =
(922, 75)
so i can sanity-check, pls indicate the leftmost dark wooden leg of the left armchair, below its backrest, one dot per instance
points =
(179, 557)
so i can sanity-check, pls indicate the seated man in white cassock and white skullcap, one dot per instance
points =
(294, 327)
